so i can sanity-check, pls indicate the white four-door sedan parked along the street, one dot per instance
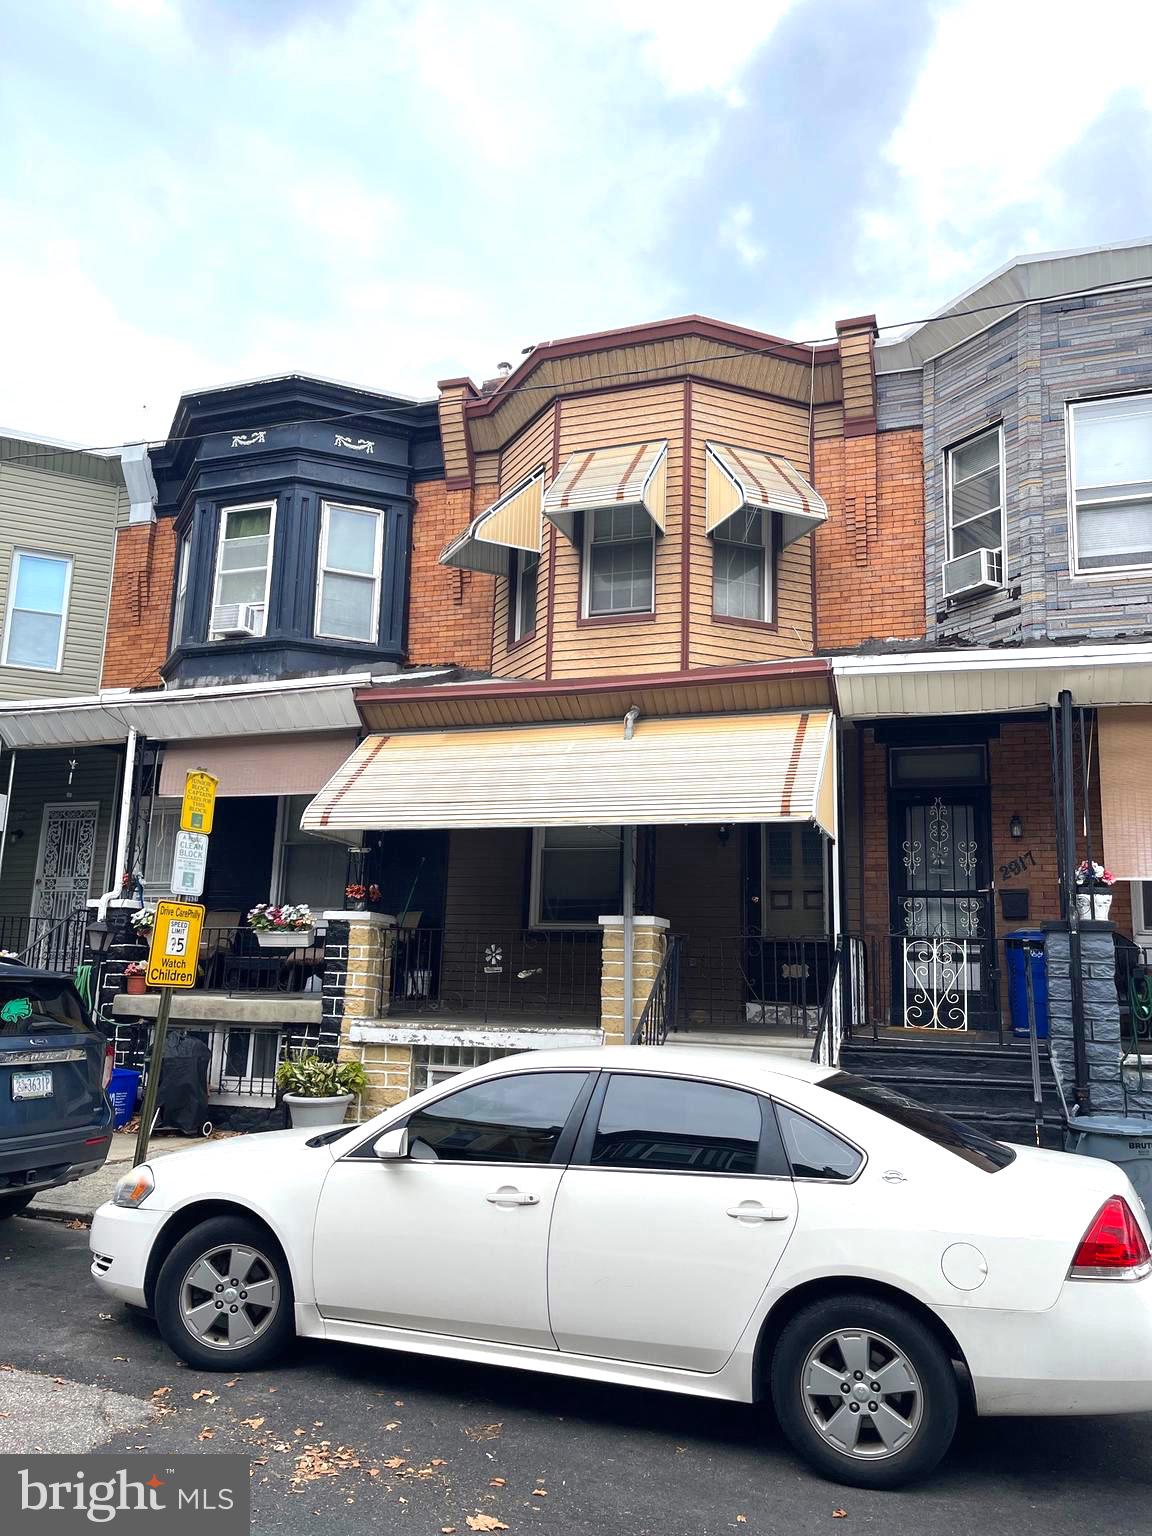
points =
(692, 1220)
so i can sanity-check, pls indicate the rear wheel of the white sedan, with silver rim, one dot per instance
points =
(852, 1432)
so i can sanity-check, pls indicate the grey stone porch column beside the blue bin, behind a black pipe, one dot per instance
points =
(1102, 1013)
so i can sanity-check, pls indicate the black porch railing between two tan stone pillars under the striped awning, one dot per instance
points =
(494, 973)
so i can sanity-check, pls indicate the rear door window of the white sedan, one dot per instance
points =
(678, 1125)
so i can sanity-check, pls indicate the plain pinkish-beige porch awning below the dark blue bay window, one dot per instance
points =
(266, 766)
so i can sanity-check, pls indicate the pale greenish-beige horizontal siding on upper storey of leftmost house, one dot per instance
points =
(61, 514)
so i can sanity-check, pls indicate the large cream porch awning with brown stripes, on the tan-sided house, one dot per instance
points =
(707, 770)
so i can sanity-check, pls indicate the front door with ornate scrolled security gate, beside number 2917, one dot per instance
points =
(944, 948)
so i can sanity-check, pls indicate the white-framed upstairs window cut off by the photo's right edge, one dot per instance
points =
(1111, 472)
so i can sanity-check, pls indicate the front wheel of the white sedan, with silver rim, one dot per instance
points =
(223, 1299)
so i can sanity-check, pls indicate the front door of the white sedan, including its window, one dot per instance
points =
(455, 1239)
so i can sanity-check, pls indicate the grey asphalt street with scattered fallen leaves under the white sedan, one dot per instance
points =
(359, 1442)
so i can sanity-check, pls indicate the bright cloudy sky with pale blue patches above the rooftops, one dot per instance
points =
(397, 191)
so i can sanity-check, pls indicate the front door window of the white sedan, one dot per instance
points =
(502, 1121)
